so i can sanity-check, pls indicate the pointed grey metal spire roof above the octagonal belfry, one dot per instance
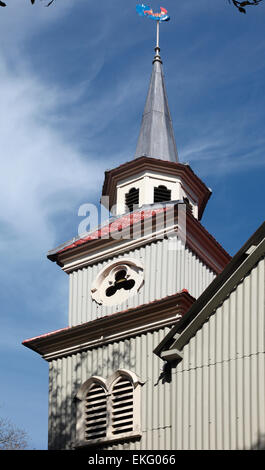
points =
(156, 138)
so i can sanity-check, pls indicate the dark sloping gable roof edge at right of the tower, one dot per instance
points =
(171, 346)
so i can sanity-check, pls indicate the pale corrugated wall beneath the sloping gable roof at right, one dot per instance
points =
(220, 384)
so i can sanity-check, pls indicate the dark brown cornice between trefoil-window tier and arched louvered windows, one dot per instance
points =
(147, 317)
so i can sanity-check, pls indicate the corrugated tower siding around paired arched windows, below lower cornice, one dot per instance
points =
(136, 355)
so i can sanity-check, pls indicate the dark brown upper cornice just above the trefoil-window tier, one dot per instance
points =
(198, 240)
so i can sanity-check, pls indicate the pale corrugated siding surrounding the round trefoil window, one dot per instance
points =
(165, 273)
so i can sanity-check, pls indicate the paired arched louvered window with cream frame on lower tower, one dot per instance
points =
(108, 410)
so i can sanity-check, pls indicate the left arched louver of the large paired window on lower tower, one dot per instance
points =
(95, 413)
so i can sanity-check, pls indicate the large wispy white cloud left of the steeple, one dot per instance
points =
(43, 169)
